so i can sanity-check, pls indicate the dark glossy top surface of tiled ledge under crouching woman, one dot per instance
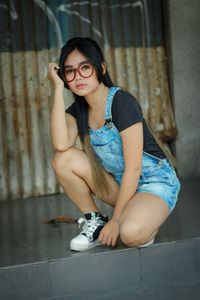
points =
(24, 238)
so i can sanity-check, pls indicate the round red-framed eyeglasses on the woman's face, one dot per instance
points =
(85, 70)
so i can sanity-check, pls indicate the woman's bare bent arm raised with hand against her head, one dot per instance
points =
(63, 126)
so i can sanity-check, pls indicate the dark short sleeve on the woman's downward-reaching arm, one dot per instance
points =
(126, 111)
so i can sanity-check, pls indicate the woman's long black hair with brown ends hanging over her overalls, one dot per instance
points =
(91, 50)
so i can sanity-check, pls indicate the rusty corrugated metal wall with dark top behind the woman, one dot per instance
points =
(32, 32)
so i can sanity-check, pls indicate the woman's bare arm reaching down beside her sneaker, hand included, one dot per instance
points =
(132, 139)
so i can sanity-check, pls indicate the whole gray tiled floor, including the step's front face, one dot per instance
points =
(36, 263)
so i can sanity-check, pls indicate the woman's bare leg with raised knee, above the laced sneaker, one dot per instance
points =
(73, 171)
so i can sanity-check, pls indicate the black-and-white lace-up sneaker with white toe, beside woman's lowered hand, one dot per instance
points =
(88, 238)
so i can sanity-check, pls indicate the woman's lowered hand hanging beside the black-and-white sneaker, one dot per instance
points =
(109, 234)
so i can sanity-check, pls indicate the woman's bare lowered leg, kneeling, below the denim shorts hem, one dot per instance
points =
(141, 219)
